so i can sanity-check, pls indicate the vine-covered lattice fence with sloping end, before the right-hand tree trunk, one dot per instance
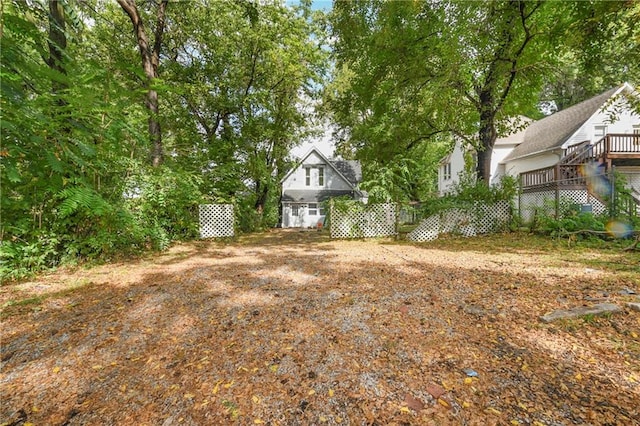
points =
(477, 219)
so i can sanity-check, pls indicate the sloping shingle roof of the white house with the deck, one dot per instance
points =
(552, 131)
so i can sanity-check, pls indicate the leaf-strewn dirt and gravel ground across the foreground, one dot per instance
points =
(290, 328)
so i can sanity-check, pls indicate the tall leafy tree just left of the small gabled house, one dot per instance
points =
(242, 94)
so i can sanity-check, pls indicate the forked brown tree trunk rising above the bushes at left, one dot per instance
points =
(150, 56)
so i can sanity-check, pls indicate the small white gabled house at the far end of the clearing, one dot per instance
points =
(315, 180)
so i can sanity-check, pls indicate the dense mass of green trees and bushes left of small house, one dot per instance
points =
(99, 159)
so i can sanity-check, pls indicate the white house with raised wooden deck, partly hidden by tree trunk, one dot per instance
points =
(552, 140)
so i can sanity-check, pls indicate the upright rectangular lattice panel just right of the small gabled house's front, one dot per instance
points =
(363, 221)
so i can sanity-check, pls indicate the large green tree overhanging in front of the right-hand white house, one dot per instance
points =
(407, 72)
